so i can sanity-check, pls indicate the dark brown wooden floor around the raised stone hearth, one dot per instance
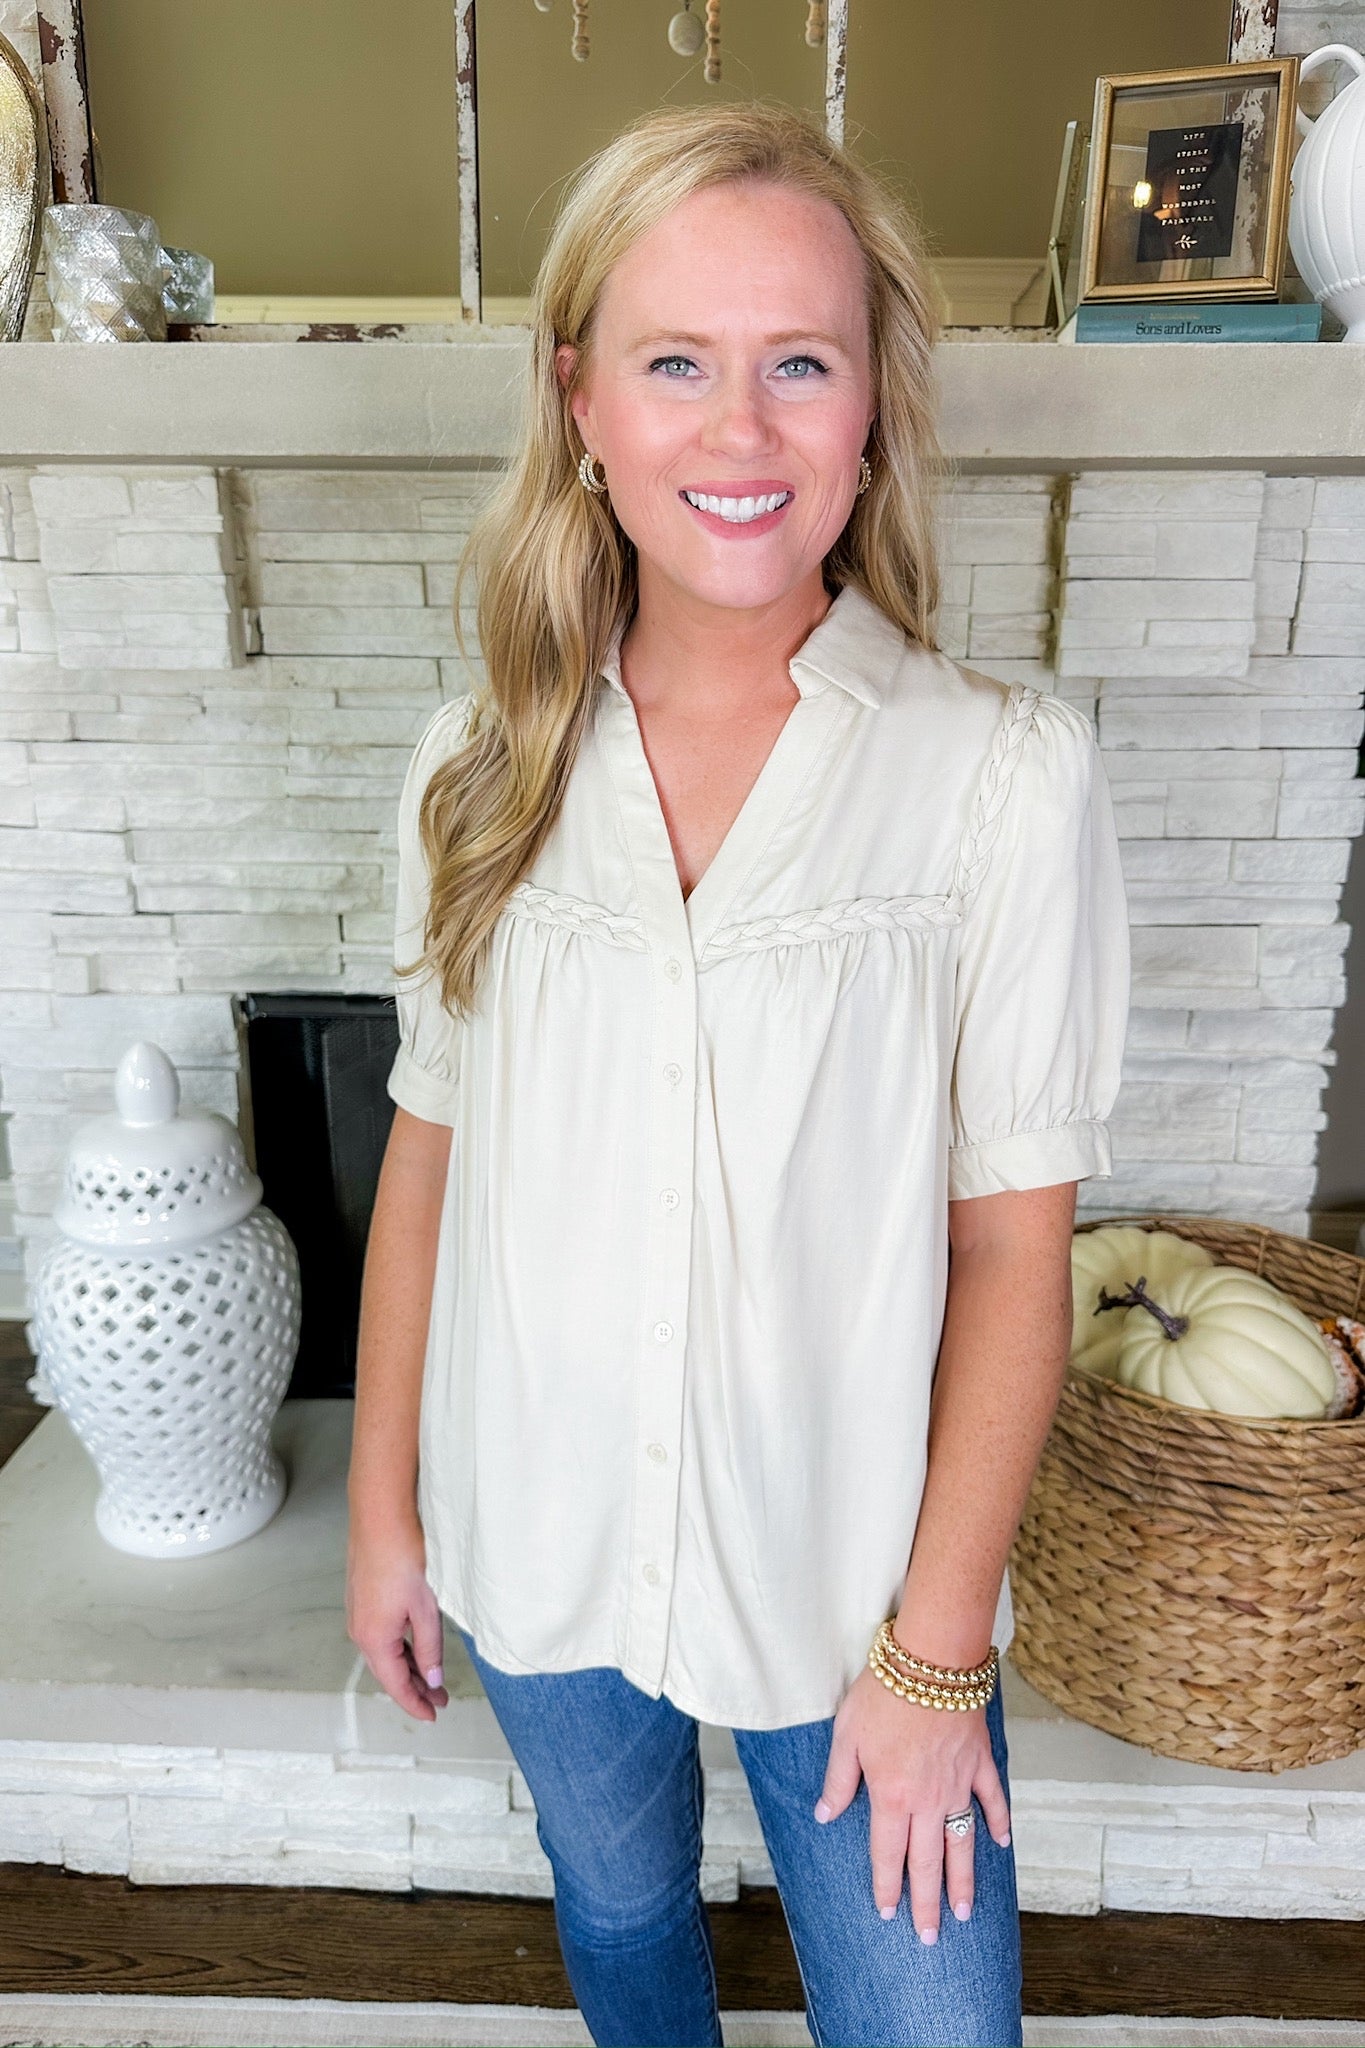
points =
(62, 1932)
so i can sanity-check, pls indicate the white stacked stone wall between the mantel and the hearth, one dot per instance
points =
(210, 687)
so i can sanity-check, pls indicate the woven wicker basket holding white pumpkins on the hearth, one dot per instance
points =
(1196, 1582)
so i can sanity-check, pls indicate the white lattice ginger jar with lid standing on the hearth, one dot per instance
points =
(167, 1320)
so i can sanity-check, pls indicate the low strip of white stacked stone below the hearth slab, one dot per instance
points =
(165, 1816)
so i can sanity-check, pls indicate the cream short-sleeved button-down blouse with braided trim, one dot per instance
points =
(695, 1244)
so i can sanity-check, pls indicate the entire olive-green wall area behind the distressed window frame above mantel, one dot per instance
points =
(308, 146)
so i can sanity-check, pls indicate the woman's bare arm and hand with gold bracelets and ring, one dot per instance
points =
(1000, 1373)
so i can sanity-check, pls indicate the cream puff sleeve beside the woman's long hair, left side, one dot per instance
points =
(427, 1072)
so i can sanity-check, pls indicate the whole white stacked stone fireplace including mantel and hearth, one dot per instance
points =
(226, 581)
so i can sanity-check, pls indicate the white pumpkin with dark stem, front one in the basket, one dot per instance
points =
(1221, 1338)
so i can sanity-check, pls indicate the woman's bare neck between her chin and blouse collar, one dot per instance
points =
(715, 658)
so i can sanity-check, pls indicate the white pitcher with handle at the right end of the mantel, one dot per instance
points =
(1327, 202)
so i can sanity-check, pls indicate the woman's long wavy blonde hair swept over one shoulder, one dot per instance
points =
(556, 570)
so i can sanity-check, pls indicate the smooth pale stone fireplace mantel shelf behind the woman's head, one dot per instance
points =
(1008, 407)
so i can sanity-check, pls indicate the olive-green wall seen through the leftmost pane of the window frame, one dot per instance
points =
(306, 146)
